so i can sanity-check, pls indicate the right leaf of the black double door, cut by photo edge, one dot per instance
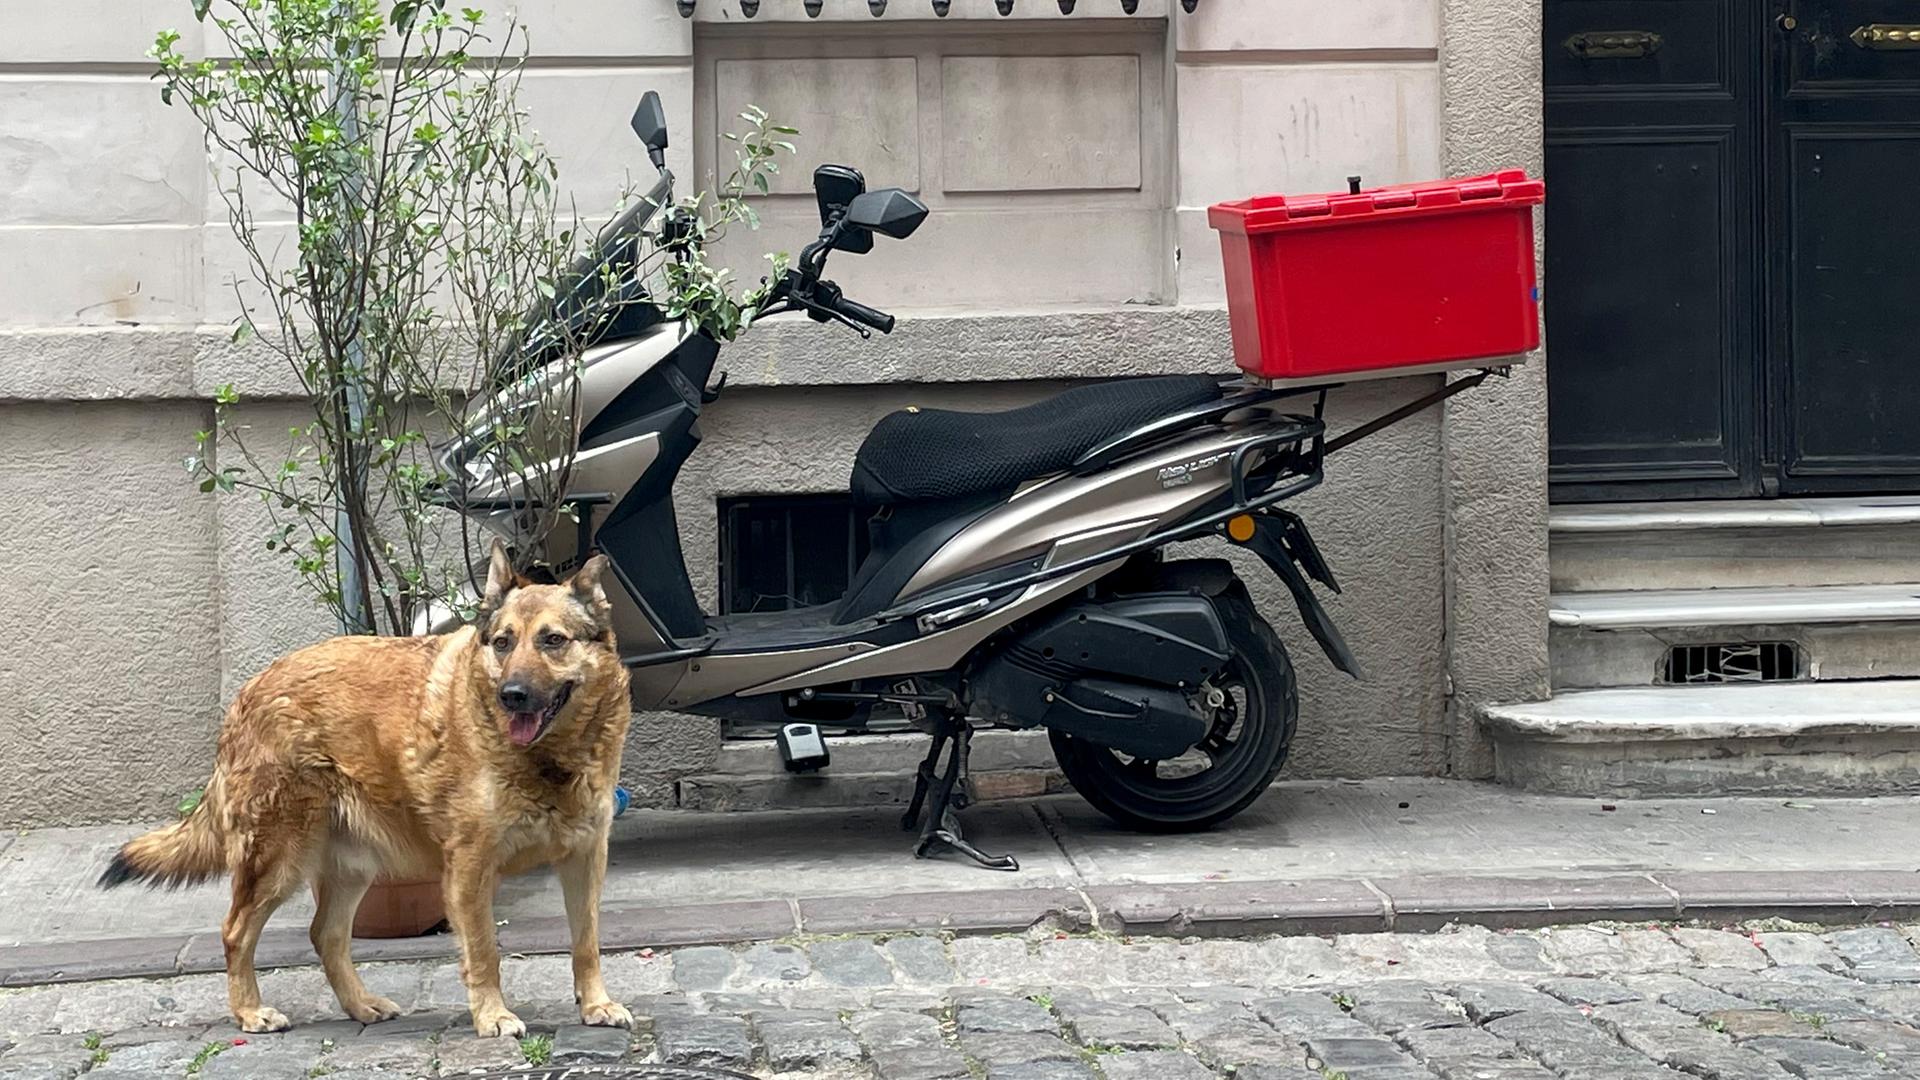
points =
(1846, 151)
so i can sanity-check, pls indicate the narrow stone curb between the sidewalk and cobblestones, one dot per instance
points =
(1207, 910)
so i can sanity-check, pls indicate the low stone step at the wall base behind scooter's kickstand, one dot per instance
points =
(867, 772)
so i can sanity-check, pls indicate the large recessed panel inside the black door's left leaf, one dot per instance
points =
(1652, 333)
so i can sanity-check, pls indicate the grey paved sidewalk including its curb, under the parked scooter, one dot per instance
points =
(1308, 858)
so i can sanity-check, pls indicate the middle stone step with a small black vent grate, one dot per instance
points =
(1836, 631)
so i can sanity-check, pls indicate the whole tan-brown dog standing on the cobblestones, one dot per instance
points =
(475, 754)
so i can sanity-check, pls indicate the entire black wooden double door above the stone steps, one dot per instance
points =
(1725, 241)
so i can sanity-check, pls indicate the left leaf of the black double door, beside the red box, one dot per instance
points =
(1650, 272)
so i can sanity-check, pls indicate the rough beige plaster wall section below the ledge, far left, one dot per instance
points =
(112, 612)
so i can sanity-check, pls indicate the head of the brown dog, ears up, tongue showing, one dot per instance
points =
(540, 643)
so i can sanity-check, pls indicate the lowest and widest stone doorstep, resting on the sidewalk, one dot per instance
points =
(1785, 739)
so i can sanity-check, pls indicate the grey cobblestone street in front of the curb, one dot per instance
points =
(1468, 1004)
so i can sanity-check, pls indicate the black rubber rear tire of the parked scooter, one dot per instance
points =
(1264, 706)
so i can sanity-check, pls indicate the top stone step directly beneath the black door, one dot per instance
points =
(1735, 545)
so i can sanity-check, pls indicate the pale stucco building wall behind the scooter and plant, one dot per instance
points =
(160, 601)
